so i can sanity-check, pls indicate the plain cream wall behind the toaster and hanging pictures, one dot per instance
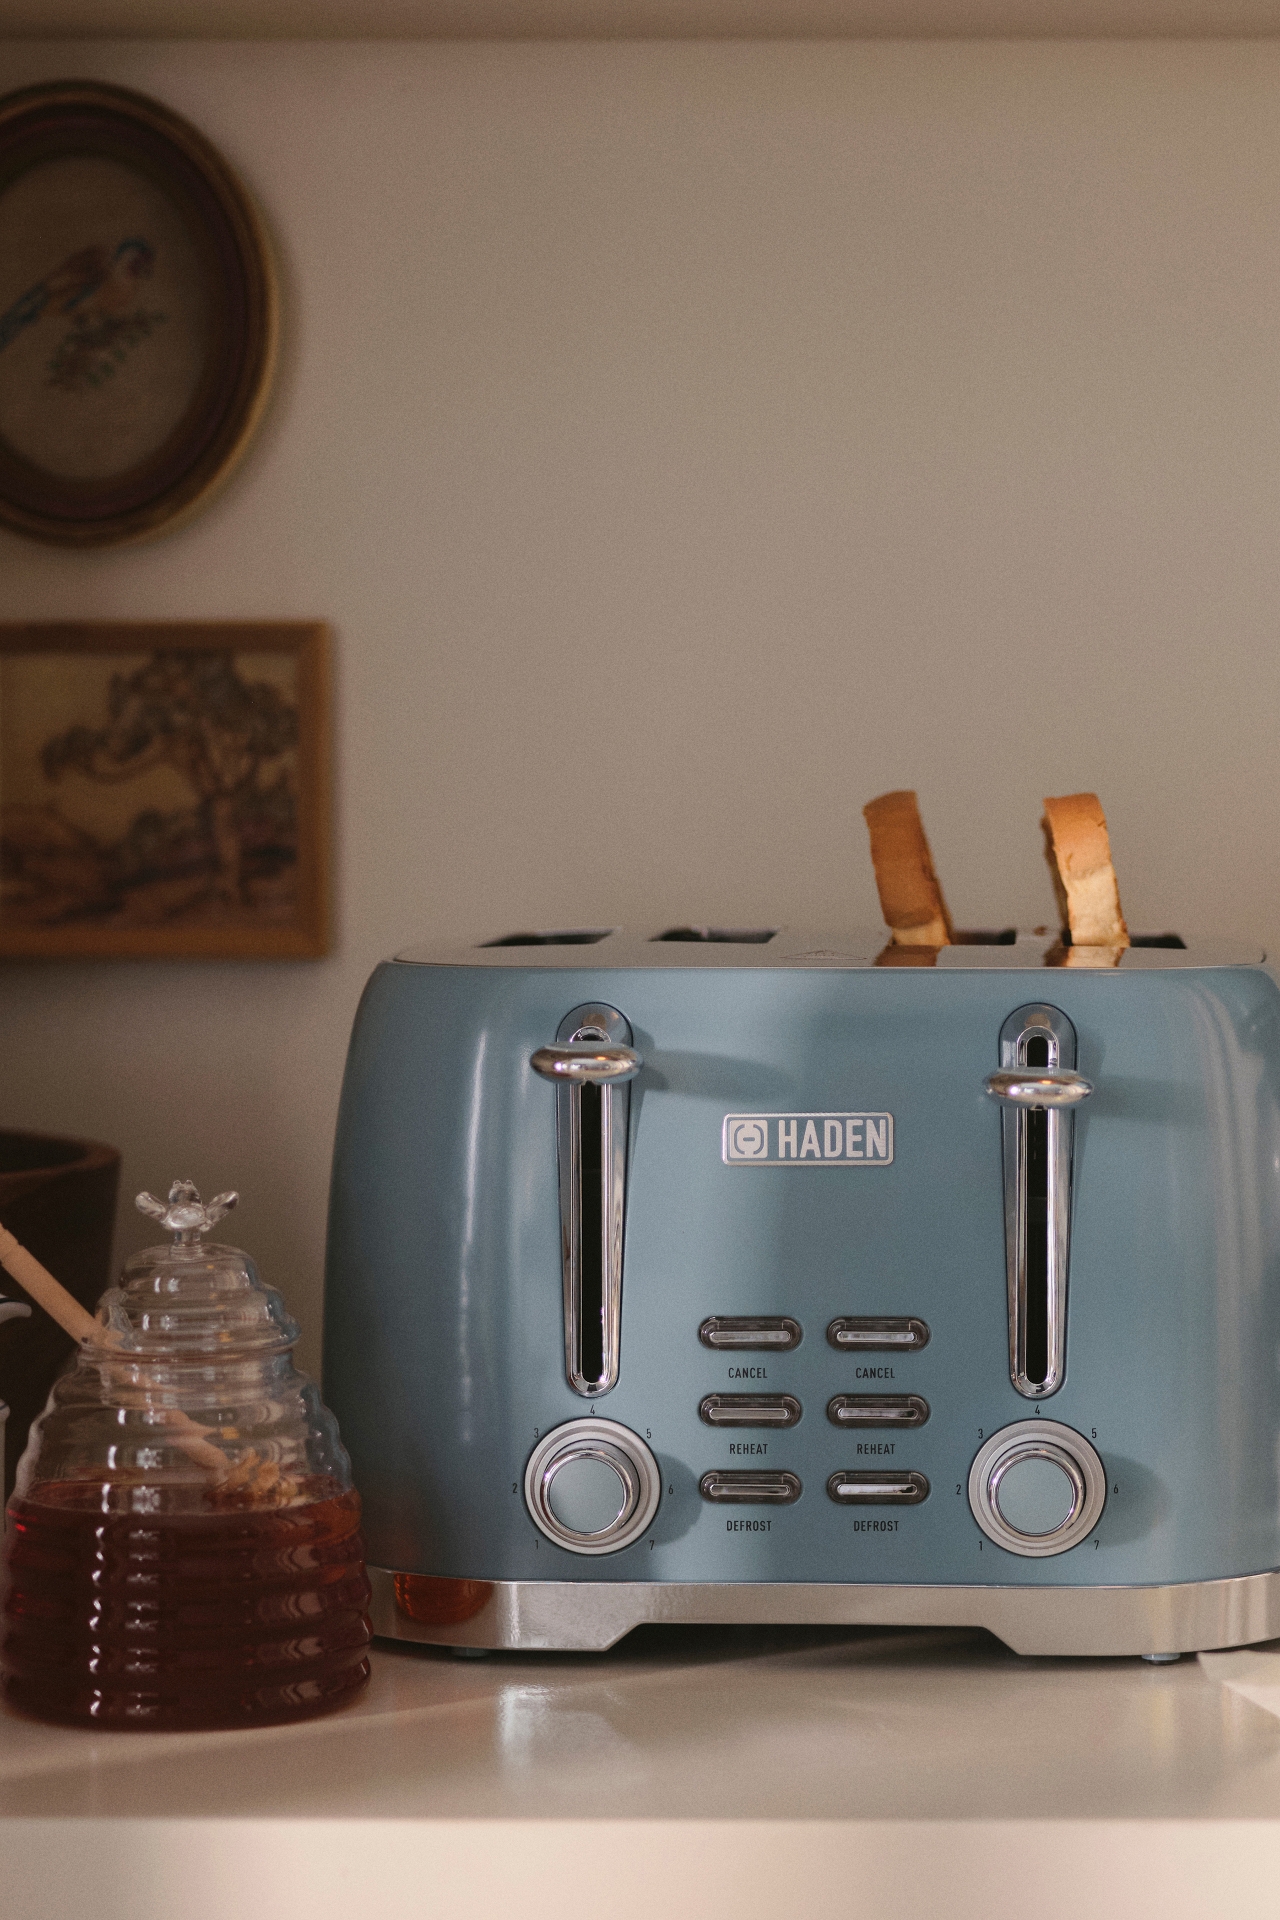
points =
(686, 444)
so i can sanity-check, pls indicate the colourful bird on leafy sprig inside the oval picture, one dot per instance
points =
(99, 293)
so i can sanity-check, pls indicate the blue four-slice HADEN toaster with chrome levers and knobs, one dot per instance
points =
(730, 1276)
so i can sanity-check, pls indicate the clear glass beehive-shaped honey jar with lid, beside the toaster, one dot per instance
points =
(185, 1543)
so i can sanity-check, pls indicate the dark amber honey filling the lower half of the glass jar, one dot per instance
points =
(220, 1618)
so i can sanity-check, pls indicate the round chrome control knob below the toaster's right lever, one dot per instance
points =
(1037, 1489)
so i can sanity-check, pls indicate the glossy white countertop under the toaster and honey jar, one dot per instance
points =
(713, 1773)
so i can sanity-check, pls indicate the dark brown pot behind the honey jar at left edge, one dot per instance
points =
(59, 1199)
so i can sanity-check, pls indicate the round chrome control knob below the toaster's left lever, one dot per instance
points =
(592, 1487)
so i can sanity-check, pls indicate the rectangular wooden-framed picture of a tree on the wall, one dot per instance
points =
(164, 790)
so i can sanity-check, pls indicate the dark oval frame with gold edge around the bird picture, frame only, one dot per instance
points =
(45, 124)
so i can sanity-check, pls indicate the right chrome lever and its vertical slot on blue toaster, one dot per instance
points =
(1039, 1090)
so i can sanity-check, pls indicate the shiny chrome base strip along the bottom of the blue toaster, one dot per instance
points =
(1087, 1621)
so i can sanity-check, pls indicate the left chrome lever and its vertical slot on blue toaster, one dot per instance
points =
(590, 1067)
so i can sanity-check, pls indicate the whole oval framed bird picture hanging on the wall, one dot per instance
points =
(139, 316)
